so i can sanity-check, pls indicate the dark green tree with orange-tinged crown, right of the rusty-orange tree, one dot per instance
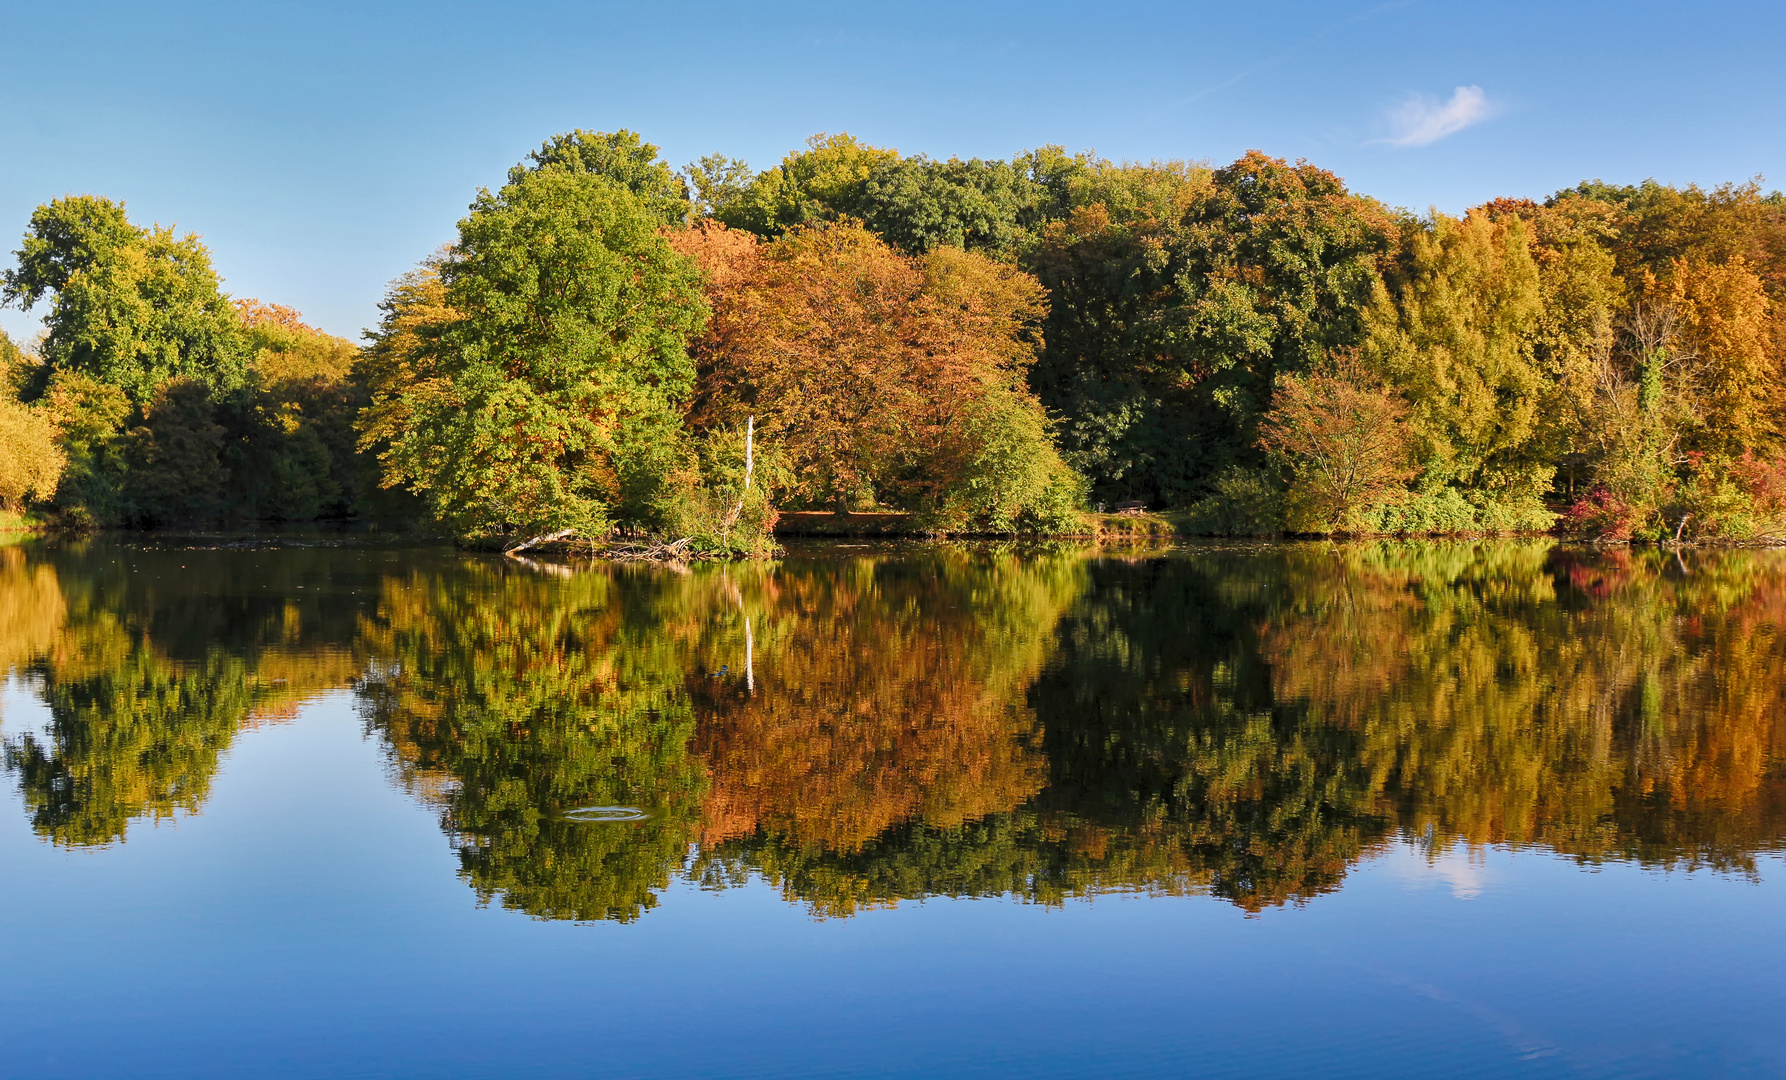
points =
(1171, 322)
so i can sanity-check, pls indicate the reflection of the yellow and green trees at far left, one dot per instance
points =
(137, 731)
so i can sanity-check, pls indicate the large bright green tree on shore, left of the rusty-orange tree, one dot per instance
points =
(549, 403)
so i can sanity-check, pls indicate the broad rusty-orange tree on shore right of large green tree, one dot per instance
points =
(881, 378)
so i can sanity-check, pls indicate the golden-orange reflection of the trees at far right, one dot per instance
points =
(1605, 706)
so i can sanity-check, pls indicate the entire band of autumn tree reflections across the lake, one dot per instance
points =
(864, 727)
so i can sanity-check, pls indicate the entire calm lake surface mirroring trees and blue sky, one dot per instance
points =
(1496, 810)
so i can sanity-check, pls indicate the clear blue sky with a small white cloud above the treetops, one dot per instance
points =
(322, 149)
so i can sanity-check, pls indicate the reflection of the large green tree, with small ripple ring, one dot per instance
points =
(513, 697)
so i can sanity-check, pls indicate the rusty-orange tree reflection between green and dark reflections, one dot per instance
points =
(890, 692)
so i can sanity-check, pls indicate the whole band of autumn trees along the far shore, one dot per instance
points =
(613, 347)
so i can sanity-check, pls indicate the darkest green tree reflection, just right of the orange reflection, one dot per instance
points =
(1165, 735)
